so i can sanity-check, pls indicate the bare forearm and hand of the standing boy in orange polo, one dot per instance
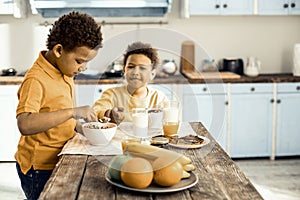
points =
(32, 123)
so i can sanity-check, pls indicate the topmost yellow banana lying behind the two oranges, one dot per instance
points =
(155, 152)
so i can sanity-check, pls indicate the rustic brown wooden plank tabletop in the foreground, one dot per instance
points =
(83, 177)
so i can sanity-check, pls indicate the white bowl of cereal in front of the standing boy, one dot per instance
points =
(97, 134)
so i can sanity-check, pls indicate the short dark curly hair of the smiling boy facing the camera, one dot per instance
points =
(142, 48)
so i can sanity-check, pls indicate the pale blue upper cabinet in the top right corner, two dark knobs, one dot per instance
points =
(278, 7)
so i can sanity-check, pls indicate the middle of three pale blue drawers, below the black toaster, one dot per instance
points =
(251, 88)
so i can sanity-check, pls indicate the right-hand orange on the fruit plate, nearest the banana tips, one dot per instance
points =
(167, 172)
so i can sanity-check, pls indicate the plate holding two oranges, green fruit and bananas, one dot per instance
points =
(146, 168)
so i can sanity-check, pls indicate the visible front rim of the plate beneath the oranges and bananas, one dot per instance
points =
(182, 185)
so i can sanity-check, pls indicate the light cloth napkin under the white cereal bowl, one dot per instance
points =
(79, 144)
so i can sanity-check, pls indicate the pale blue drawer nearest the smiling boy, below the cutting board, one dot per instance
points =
(205, 89)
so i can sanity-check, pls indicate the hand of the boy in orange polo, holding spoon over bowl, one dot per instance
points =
(85, 112)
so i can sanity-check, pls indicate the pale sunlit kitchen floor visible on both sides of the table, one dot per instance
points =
(279, 179)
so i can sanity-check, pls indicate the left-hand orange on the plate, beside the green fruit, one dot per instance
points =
(137, 173)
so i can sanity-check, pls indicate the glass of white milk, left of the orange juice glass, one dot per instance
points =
(140, 122)
